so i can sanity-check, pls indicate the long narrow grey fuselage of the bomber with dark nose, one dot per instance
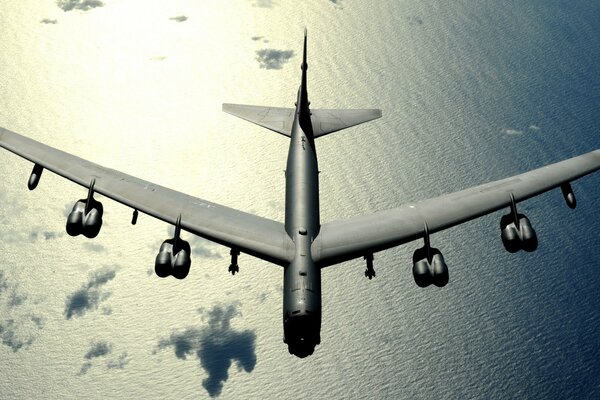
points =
(302, 278)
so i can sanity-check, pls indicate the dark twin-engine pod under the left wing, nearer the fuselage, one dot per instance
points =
(173, 259)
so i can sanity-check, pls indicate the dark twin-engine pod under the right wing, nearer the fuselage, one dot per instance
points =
(430, 269)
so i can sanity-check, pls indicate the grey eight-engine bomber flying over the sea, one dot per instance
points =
(302, 245)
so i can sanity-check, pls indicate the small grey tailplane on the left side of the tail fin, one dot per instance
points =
(276, 119)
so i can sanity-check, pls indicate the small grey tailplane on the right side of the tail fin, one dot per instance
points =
(325, 121)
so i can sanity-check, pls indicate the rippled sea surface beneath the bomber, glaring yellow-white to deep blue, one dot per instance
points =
(470, 92)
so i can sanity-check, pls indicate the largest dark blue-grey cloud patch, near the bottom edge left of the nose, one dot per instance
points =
(216, 345)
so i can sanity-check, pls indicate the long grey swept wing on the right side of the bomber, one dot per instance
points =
(344, 240)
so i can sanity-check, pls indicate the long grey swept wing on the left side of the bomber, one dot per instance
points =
(257, 236)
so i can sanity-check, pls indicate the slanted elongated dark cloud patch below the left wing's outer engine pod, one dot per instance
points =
(89, 296)
